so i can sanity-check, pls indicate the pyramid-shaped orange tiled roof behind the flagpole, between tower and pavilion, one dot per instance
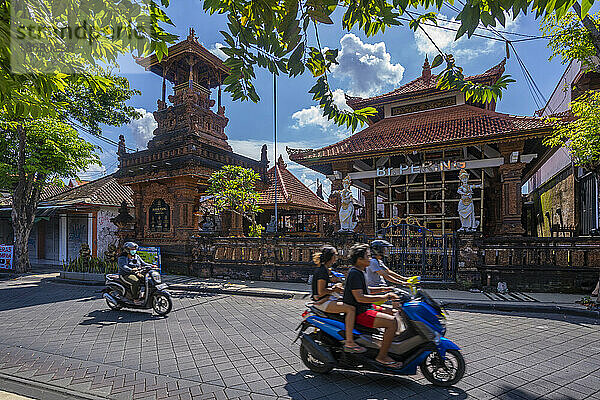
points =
(291, 191)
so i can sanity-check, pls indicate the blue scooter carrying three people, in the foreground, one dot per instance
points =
(420, 344)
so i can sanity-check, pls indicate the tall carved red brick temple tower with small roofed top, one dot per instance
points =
(169, 178)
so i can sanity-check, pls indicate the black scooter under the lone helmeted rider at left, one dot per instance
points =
(155, 295)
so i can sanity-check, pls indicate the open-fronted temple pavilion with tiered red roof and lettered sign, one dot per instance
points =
(407, 161)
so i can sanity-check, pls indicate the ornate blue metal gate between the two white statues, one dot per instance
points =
(418, 251)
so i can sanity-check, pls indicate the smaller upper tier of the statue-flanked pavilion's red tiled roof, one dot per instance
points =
(424, 83)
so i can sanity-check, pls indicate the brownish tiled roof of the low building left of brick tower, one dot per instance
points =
(105, 191)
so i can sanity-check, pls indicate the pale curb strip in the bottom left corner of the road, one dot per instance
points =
(38, 390)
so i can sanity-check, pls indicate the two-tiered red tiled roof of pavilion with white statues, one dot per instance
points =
(427, 121)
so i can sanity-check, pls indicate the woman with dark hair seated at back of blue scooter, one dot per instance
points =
(326, 299)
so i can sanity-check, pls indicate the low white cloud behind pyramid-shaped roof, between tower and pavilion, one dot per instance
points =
(251, 148)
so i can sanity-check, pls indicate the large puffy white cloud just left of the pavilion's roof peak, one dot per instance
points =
(367, 67)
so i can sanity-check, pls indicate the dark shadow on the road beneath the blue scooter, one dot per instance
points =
(354, 385)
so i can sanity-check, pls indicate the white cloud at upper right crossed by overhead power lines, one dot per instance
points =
(464, 47)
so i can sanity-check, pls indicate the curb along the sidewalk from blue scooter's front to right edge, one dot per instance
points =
(541, 309)
